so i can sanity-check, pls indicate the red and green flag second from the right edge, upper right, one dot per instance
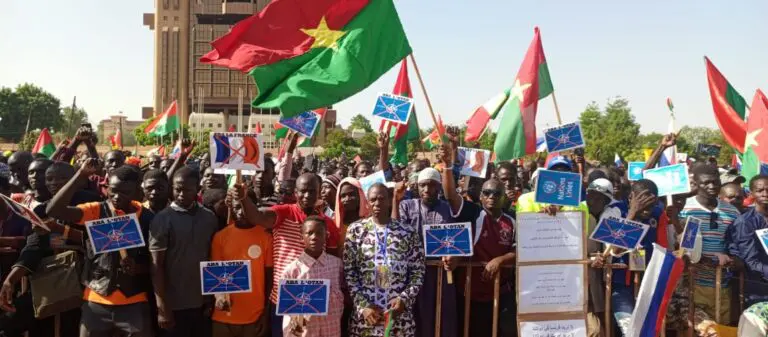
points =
(726, 103)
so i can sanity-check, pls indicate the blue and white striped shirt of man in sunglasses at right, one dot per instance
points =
(712, 234)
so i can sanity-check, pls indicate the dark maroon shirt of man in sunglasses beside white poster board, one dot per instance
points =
(493, 238)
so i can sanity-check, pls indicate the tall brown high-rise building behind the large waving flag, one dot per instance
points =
(184, 30)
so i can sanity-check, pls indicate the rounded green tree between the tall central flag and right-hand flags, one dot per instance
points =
(609, 131)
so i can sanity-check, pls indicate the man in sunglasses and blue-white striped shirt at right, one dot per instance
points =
(716, 217)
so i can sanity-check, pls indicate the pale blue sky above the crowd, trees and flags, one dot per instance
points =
(467, 51)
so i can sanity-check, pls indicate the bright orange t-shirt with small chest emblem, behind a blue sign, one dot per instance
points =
(254, 244)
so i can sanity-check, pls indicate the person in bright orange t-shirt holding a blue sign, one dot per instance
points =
(243, 314)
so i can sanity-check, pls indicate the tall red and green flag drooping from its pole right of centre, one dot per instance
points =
(517, 132)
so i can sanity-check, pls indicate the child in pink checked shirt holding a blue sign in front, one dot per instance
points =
(314, 263)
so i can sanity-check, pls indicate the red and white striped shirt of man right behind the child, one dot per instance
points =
(287, 243)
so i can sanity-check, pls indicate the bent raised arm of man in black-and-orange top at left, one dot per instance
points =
(58, 207)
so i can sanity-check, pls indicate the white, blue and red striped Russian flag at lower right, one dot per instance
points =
(659, 282)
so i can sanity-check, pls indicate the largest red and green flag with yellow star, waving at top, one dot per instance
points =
(308, 54)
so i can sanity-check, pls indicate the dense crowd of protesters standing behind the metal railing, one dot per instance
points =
(305, 218)
